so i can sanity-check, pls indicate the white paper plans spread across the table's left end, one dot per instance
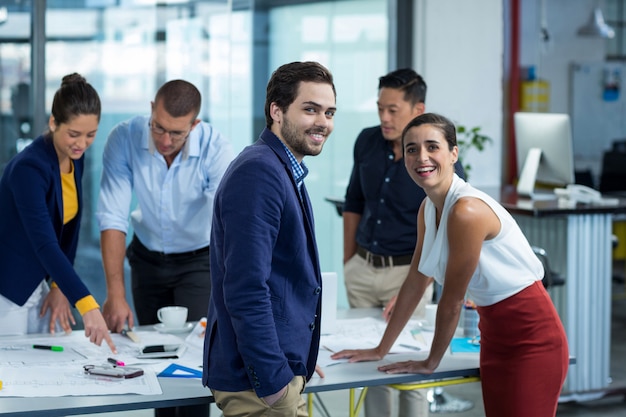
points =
(28, 372)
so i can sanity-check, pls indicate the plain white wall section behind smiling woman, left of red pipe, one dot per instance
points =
(459, 50)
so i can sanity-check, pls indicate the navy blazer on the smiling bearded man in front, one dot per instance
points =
(264, 314)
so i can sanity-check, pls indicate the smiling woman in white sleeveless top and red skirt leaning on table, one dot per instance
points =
(471, 245)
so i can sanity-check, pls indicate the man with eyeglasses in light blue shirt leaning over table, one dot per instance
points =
(172, 163)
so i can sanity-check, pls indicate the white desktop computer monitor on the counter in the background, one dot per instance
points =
(544, 151)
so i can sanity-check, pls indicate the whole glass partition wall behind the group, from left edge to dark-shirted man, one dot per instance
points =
(228, 49)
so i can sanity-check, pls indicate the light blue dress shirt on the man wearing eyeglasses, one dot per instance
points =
(174, 206)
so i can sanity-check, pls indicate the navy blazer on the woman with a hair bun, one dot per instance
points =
(34, 243)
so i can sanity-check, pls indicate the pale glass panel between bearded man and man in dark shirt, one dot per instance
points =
(349, 38)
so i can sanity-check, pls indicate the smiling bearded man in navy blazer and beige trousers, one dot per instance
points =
(263, 323)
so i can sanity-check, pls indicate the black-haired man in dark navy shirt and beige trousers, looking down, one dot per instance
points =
(380, 219)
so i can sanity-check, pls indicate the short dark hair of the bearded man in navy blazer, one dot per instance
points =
(282, 87)
